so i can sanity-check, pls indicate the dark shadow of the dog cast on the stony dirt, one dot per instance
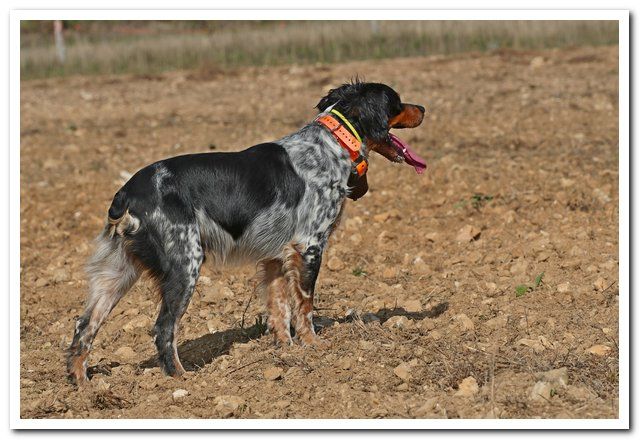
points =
(201, 351)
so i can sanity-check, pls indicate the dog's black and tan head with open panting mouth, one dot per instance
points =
(374, 109)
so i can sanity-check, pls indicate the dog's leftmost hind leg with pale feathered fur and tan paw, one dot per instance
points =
(111, 273)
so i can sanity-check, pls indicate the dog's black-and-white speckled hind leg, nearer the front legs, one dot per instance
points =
(176, 284)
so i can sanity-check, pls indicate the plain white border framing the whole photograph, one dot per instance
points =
(622, 16)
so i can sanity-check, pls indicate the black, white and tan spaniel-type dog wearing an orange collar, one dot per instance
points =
(275, 204)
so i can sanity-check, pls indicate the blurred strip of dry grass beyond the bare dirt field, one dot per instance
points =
(148, 47)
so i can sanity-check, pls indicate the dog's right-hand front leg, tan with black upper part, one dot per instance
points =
(301, 272)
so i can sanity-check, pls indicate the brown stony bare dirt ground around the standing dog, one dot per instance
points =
(431, 292)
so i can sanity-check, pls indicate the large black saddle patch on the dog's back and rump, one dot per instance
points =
(230, 187)
